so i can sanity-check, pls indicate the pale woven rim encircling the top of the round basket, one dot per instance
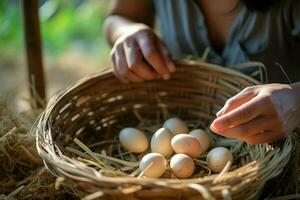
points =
(170, 183)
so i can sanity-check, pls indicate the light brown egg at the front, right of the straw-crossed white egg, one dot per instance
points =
(182, 165)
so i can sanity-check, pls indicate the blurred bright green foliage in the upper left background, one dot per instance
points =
(64, 24)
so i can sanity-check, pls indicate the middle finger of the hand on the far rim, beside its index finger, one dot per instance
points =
(135, 61)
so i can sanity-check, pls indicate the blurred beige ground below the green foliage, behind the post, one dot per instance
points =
(60, 72)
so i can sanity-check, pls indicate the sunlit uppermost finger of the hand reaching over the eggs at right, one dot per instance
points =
(239, 99)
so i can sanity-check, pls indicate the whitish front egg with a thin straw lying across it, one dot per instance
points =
(153, 165)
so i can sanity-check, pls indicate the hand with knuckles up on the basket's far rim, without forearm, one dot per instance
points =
(139, 55)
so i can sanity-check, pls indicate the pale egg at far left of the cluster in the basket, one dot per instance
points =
(133, 140)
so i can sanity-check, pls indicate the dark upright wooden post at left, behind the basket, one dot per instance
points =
(34, 50)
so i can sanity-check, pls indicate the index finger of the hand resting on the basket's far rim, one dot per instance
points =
(150, 52)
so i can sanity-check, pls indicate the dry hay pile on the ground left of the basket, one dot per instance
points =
(23, 175)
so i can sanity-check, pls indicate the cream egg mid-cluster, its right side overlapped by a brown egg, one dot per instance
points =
(161, 142)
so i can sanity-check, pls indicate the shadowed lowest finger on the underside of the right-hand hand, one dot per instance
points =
(251, 128)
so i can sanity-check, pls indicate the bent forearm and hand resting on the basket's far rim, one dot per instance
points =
(137, 53)
